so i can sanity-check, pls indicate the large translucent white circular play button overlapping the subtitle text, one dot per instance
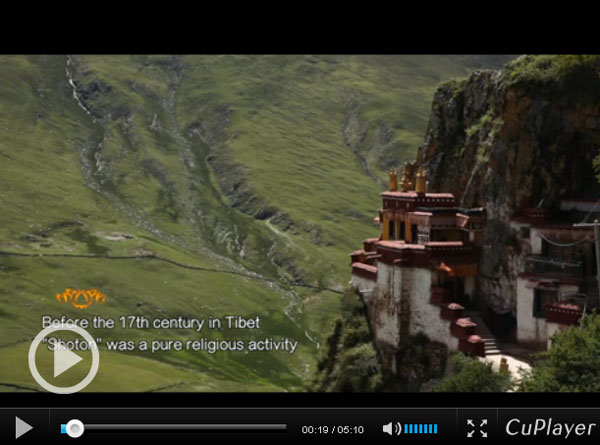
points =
(64, 359)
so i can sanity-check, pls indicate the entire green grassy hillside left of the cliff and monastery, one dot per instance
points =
(268, 166)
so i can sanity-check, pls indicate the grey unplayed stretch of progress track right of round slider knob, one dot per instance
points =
(188, 426)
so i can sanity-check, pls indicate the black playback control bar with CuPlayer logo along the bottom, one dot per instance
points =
(285, 424)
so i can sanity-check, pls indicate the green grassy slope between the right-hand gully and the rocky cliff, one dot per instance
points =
(310, 138)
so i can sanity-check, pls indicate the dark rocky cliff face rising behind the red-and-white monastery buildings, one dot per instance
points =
(523, 136)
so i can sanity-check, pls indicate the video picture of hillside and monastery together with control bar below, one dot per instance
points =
(306, 247)
